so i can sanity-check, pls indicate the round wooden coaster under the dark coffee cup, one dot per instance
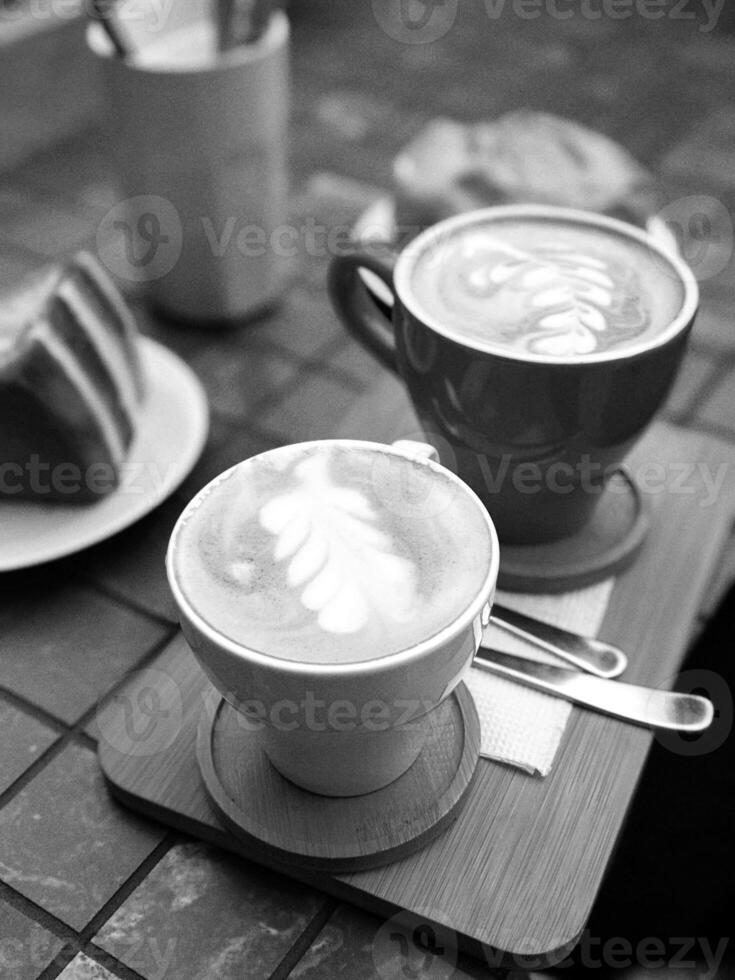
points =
(605, 546)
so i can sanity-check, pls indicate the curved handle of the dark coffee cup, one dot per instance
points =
(356, 305)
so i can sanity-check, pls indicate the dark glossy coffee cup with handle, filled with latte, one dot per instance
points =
(536, 344)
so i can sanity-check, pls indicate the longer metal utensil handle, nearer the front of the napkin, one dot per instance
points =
(641, 705)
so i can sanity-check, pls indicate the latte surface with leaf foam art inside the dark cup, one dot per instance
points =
(546, 287)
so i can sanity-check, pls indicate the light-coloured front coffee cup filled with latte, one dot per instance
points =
(335, 593)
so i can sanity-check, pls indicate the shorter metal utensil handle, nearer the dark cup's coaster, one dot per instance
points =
(586, 653)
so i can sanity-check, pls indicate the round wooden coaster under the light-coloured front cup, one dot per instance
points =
(336, 834)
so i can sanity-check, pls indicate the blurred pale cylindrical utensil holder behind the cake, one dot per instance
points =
(200, 138)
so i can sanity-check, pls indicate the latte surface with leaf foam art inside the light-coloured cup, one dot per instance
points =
(331, 553)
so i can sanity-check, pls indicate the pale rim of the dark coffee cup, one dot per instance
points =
(414, 249)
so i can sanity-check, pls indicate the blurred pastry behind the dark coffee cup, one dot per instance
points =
(522, 157)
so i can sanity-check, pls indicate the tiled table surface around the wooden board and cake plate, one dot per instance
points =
(87, 890)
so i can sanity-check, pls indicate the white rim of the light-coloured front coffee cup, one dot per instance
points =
(377, 665)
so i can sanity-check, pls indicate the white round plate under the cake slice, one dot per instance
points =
(171, 434)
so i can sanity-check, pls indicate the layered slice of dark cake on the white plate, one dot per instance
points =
(71, 385)
